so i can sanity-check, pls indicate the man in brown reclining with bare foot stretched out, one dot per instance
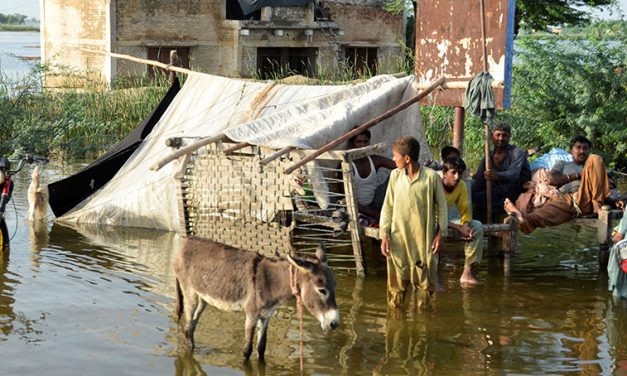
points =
(583, 186)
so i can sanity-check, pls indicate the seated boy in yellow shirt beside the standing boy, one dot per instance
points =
(469, 230)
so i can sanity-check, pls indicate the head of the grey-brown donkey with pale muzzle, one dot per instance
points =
(317, 288)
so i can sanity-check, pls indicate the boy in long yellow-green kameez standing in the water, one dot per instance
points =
(413, 220)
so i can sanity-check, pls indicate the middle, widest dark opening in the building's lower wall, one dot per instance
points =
(279, 62)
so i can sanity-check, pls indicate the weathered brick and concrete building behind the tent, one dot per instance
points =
(214, 36)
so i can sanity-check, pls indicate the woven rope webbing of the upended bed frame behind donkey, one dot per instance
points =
(235, 201)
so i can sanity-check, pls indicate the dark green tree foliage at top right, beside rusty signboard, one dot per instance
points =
(539, 14)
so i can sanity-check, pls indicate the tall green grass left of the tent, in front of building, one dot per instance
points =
(75, 123)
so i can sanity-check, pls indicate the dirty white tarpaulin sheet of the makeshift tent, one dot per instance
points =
(259, 113)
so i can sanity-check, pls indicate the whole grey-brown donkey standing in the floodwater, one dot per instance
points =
(232, 279)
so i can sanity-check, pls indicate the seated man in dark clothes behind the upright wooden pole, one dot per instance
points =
(508, 173)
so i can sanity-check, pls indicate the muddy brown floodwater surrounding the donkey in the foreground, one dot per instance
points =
(99, 301)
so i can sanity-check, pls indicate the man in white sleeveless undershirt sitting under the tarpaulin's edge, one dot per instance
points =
(368, 190)
